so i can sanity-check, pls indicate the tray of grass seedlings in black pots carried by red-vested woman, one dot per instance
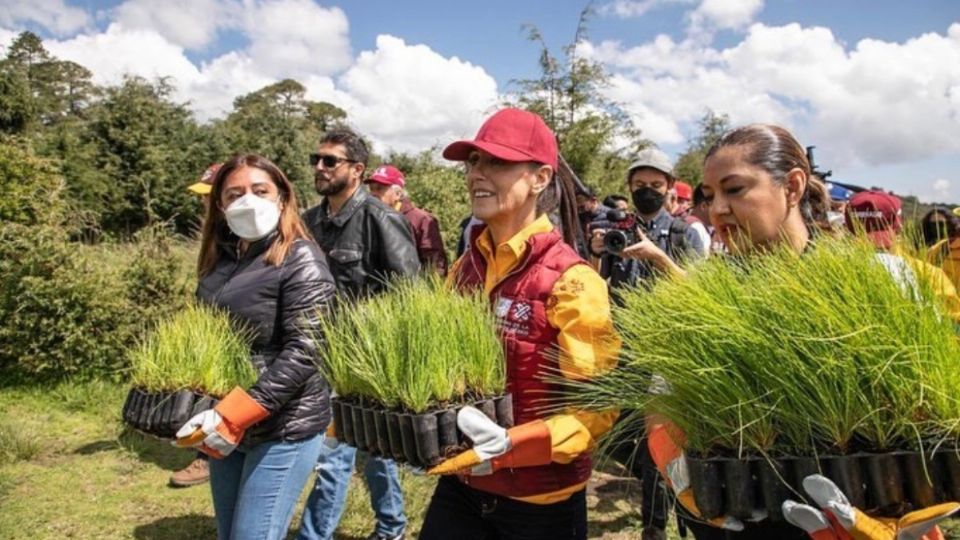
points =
(403, 363)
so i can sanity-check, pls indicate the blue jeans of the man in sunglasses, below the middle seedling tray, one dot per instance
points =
(325, 504)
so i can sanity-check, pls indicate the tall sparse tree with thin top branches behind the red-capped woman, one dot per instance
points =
(596, 135)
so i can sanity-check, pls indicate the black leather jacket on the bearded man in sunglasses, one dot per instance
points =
(366, 243)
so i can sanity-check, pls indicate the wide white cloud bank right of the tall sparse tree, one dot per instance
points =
(877, 102)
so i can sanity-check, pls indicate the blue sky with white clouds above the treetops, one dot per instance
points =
(875, 85)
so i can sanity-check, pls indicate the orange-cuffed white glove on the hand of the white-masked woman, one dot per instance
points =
(216, 432)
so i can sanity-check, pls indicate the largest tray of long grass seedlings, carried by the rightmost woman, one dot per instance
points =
(838, 361)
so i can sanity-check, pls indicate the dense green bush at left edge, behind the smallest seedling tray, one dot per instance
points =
(69, 309)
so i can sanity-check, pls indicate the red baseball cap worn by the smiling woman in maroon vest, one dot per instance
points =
(511, 135)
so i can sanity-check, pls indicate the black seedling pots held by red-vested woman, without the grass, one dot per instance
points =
(421, 440)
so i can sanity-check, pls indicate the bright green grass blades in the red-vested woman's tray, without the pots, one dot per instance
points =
(415, 346)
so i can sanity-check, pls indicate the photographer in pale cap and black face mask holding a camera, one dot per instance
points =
(633, 250)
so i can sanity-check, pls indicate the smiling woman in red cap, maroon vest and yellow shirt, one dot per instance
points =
(553, 314)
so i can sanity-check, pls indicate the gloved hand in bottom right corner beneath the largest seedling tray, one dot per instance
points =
(838, 520)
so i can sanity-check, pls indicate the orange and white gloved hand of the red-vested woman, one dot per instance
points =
(496, 448)
